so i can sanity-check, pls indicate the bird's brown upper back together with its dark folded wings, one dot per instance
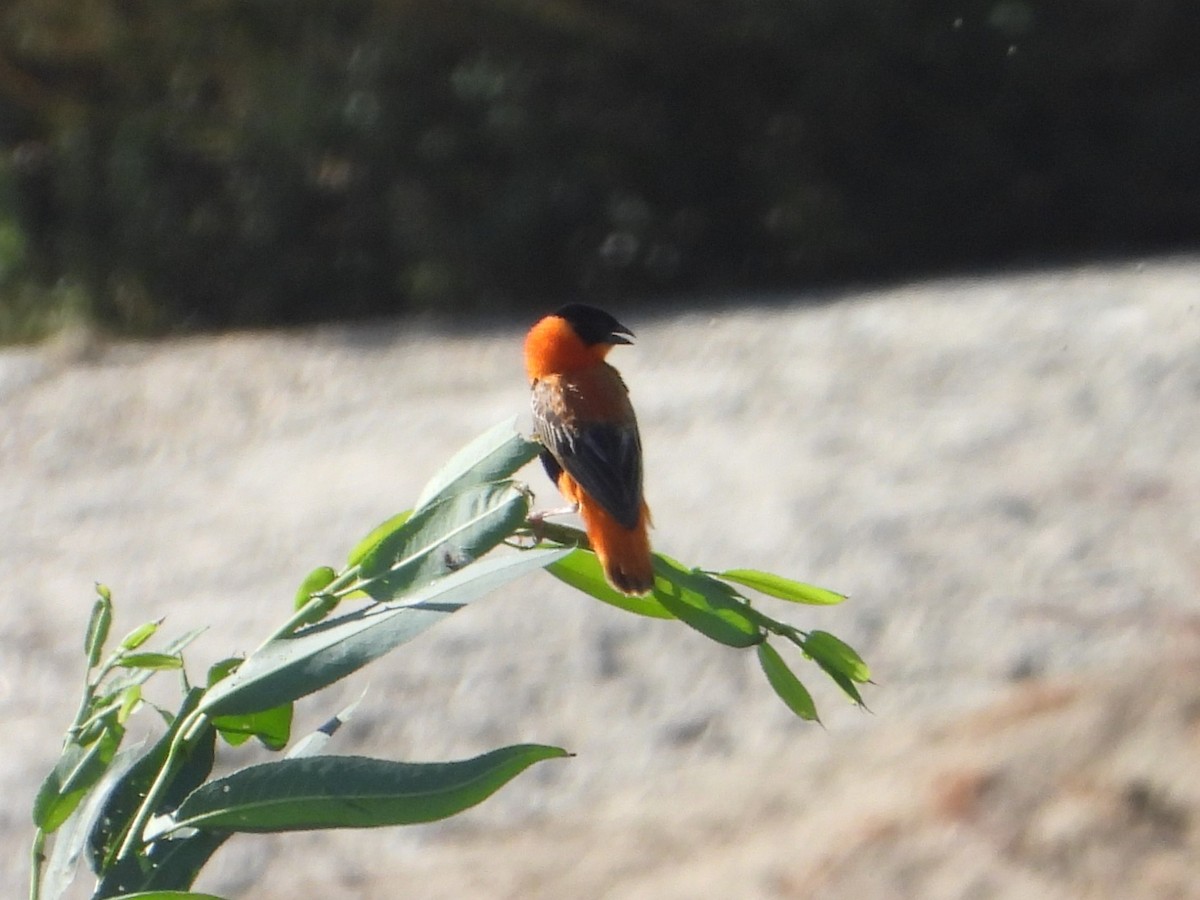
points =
(589, 428)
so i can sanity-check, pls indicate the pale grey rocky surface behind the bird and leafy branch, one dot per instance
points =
(1004, 473)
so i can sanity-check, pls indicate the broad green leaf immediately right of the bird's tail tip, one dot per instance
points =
(705, 604)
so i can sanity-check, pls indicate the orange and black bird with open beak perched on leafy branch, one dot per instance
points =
(591, 446)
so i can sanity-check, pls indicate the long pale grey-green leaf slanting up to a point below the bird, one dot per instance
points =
(295, 667)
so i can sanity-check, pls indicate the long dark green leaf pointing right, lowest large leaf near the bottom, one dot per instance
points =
(352, 793)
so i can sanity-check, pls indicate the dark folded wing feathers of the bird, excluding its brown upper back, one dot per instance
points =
(604, 458)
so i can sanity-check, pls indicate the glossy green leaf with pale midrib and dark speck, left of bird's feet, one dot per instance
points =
(443, 538)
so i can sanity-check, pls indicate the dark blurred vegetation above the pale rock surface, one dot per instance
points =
(212, 164)
